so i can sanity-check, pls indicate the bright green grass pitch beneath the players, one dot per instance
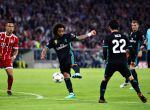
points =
(39, 81)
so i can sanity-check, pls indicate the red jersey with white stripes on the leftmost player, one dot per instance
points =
(7, 44)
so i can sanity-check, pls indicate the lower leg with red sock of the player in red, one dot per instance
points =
(10, 80)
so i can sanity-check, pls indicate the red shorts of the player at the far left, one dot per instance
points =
(6, 63)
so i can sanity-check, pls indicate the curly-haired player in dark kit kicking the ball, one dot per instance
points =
(61, 44)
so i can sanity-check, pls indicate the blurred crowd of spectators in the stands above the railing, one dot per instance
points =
(35, 18)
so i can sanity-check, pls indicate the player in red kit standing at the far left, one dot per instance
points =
(8, 51)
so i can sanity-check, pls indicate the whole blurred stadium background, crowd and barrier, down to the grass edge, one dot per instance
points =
(35, 20)
